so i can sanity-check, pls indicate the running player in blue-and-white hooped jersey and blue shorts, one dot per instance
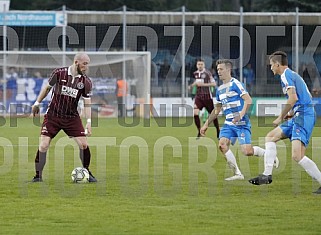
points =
(235, 101)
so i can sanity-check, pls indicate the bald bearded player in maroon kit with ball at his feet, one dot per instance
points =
(68, 85)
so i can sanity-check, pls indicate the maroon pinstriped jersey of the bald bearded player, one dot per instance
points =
(66, 93)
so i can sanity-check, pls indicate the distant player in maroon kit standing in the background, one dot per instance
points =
(204, 81)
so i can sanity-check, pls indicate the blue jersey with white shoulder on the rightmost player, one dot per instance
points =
(290, 79)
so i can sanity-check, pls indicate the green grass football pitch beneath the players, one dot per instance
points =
(154, 177)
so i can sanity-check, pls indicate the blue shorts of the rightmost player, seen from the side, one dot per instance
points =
(300, 127)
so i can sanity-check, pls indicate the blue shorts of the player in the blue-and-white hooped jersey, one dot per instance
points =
(231, 132)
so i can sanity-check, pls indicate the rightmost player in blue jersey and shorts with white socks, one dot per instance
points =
(300, 115)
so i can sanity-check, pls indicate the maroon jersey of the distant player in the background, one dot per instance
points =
(203, 76)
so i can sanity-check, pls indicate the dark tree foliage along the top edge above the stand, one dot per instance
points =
(166, 5)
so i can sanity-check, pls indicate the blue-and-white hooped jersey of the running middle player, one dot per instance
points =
(230, 96)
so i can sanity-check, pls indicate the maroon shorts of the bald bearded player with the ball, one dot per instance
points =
(71, 126)
